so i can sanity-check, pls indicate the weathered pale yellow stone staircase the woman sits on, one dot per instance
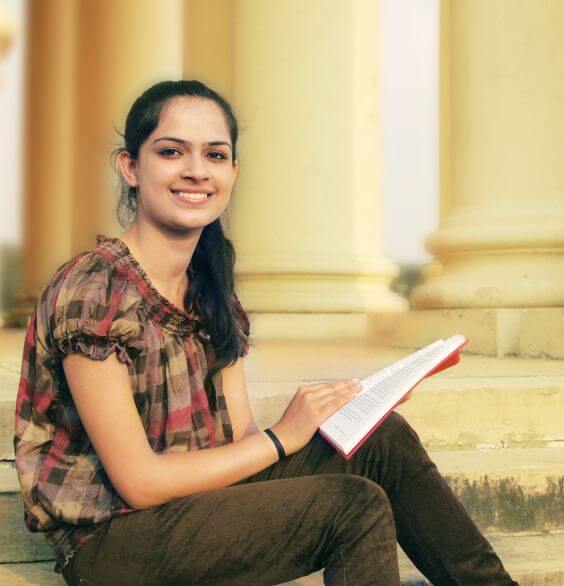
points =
(494, 426)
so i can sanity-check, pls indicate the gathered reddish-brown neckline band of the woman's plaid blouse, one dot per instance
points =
(161, 309)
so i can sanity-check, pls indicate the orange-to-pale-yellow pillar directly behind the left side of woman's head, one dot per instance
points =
(122, 49)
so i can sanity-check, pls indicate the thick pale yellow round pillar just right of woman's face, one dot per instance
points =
(305, 214)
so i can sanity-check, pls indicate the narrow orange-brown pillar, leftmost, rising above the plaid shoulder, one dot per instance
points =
(48, 149)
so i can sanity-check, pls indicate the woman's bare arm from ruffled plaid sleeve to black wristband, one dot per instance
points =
(103, 397)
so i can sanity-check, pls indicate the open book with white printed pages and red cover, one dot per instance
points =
(348, 428)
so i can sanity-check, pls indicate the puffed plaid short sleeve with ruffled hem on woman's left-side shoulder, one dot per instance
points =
(94, 313)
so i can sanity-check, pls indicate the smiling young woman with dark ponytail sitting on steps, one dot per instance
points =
(136, 449)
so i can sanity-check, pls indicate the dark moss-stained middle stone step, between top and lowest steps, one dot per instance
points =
(509, 490)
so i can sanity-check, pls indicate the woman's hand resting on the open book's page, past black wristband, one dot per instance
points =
(309, 408)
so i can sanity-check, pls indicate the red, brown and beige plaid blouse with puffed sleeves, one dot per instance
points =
(99, 302)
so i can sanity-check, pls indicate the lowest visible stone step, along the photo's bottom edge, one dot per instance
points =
(532, 560)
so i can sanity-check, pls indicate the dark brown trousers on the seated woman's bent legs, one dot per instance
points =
(309, 511)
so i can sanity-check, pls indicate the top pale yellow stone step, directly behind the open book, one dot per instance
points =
(483, 402)
